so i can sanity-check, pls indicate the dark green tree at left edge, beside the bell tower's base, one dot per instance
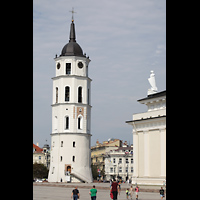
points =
(40, 171)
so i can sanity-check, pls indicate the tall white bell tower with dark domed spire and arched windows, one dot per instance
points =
(71, 115)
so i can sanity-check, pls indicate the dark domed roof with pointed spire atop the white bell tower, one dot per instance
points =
(72, 48)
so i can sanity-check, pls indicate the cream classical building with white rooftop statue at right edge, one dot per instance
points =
(149, 139)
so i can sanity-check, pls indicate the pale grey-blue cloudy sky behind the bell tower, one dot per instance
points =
(125, 40)
